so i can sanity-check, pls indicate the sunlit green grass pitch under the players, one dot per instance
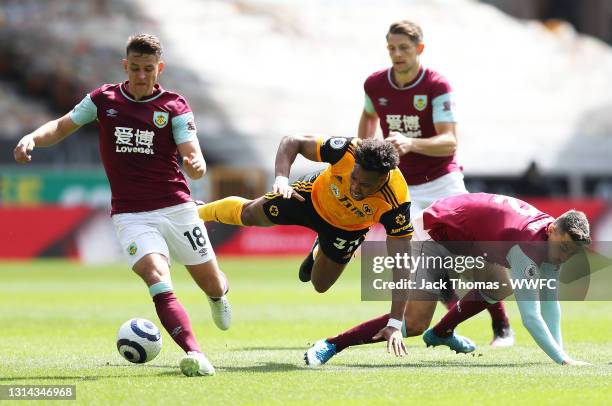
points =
(59, 320)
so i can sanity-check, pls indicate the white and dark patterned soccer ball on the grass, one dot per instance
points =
(138, 341)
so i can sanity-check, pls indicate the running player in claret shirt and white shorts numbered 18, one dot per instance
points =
(141, 128)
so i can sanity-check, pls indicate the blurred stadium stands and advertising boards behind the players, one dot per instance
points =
(531, 91)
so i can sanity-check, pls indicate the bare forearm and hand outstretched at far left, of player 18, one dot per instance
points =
(46, 135)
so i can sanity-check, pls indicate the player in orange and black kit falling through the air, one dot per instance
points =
(361, 186)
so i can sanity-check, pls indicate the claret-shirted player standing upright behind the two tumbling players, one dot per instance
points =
(415, 108)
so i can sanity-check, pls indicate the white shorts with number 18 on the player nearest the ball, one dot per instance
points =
(176, 232)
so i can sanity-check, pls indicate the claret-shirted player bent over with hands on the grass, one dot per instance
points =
(519, 240)
